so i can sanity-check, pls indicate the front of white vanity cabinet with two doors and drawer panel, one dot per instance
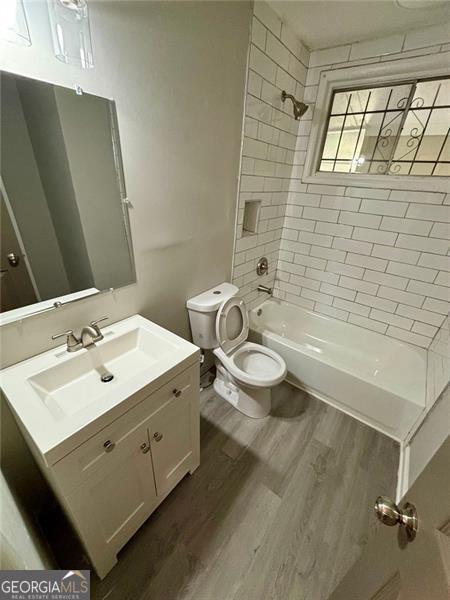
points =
(110, 484)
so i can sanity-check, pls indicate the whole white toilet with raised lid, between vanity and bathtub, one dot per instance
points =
(246, 372)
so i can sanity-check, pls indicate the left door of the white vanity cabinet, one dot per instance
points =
(115, 500)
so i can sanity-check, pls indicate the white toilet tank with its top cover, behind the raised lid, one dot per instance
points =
(202, 314)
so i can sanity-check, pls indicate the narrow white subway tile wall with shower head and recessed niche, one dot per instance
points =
(278, 61)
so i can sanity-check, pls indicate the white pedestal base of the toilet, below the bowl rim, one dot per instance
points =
(252, 402)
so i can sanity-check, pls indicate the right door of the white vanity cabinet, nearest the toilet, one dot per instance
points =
(171, 441)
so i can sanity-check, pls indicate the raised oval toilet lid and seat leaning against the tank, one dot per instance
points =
(232, 324)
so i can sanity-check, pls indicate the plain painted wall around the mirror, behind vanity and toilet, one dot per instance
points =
(177, 73)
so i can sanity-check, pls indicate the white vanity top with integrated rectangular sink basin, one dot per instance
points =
(60, 399)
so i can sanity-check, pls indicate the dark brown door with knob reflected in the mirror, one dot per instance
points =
(16, 287)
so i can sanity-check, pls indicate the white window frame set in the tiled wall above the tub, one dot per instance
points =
(376, 75)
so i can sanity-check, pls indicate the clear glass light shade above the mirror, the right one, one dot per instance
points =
(71, 33)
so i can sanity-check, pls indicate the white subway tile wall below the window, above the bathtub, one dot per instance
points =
(389, 274)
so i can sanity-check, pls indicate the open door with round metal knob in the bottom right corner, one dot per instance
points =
(393, 568)
